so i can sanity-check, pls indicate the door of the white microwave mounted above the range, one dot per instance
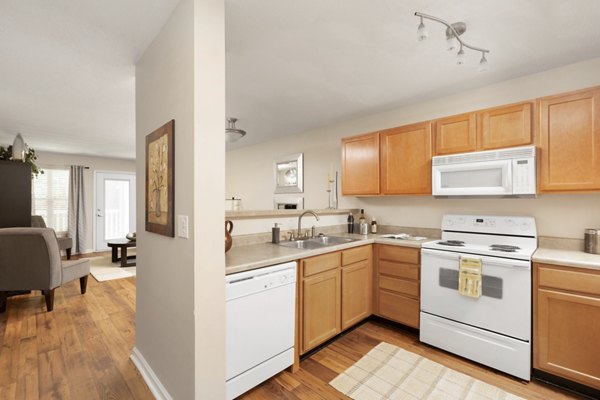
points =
(486, 178)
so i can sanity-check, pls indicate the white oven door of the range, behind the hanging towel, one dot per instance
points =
(504, 306)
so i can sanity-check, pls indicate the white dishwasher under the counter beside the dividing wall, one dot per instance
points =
(259, 330)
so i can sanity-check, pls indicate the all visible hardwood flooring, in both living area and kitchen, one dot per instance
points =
(81, 351)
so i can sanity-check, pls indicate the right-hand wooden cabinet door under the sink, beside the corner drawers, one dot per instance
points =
(356, 293)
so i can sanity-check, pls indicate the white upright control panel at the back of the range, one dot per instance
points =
(521, 226)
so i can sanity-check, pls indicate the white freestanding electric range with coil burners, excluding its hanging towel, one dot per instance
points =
(495, 328)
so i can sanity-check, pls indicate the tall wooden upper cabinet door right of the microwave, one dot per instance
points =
(570, 141)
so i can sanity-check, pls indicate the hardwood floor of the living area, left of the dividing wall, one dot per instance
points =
(78, 351)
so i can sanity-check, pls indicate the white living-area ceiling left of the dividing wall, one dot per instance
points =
(67, 72)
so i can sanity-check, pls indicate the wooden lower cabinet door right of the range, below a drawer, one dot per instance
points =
(566, 338)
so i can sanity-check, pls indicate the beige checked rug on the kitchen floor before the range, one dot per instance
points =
(390, 372)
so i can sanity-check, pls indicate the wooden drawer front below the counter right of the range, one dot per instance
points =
(575, 280)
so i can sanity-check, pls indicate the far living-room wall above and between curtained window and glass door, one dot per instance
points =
(59, 160)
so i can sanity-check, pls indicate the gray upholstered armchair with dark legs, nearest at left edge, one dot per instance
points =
(30, 260)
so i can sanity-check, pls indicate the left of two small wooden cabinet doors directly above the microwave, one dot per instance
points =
(455, 134)
